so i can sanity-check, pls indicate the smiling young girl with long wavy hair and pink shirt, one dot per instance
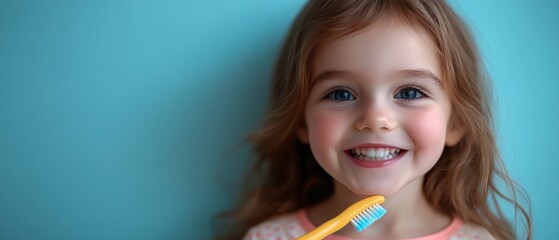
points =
(378, 97)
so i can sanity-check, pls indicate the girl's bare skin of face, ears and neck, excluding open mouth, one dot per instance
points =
(382, 86)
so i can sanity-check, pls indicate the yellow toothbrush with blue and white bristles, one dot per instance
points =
(361, 215)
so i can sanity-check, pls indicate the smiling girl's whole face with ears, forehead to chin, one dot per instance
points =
(377, 117)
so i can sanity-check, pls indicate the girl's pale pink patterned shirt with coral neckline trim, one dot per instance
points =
(291, 226)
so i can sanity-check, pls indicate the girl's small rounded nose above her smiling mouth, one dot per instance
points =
(376, 117)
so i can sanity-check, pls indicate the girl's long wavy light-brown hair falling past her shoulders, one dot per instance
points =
(285, 177)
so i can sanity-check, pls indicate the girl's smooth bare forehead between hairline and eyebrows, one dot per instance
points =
(378, 50)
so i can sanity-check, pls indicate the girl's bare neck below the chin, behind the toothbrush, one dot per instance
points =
(409, 214)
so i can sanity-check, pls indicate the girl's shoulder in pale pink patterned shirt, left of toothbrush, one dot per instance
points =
(282, 227)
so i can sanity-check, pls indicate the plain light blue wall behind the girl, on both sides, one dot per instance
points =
(120, 119)
